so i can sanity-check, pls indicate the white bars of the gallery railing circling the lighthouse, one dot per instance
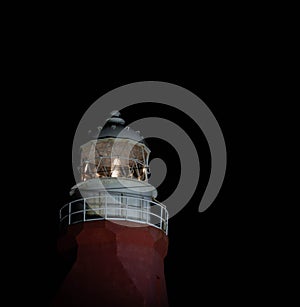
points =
(162, 216)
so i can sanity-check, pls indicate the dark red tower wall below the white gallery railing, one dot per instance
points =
(116, 265)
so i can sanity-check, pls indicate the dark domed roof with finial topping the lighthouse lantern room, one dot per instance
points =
(115, 127)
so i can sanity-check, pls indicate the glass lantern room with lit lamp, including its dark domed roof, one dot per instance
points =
(118, 151)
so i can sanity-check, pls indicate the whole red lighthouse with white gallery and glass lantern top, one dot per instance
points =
(114, 225)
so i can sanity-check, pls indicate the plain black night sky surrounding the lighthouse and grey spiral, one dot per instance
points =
(59, 62)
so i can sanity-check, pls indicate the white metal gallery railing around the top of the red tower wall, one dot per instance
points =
(115, 207)
